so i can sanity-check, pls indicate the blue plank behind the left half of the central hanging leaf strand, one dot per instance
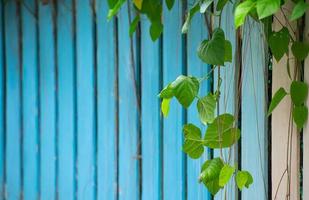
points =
(196, 34)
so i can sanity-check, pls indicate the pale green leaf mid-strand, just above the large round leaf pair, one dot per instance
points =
(206, 108)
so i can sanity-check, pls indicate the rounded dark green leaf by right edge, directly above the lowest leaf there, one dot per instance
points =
(299, 92)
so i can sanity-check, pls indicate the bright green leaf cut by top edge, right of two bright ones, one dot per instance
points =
(266, 8)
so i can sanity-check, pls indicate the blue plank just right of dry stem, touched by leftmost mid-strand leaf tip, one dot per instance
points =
(151, 120)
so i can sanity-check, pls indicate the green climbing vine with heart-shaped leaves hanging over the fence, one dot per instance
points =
(222, 131)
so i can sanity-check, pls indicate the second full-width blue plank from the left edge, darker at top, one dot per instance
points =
(30, 100)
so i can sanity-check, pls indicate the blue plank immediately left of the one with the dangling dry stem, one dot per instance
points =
(106, 76)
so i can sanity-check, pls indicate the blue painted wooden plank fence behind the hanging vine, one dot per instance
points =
(80, 117)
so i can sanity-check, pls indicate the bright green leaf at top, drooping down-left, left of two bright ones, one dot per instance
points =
(241, 11)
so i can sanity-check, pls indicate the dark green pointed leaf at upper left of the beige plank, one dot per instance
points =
(279, 43)
